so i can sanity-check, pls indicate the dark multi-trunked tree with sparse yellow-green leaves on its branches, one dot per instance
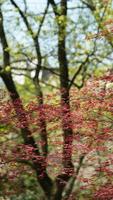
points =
(39, 153)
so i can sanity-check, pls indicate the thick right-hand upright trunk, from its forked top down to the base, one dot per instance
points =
(62, 179)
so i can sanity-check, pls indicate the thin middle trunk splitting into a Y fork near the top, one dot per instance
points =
(42, 122)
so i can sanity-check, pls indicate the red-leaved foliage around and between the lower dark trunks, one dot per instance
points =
(91, 119)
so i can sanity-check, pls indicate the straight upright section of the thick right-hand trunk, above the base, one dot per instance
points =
(64, 86)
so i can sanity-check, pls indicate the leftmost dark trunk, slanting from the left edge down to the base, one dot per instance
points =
(39, 165)
